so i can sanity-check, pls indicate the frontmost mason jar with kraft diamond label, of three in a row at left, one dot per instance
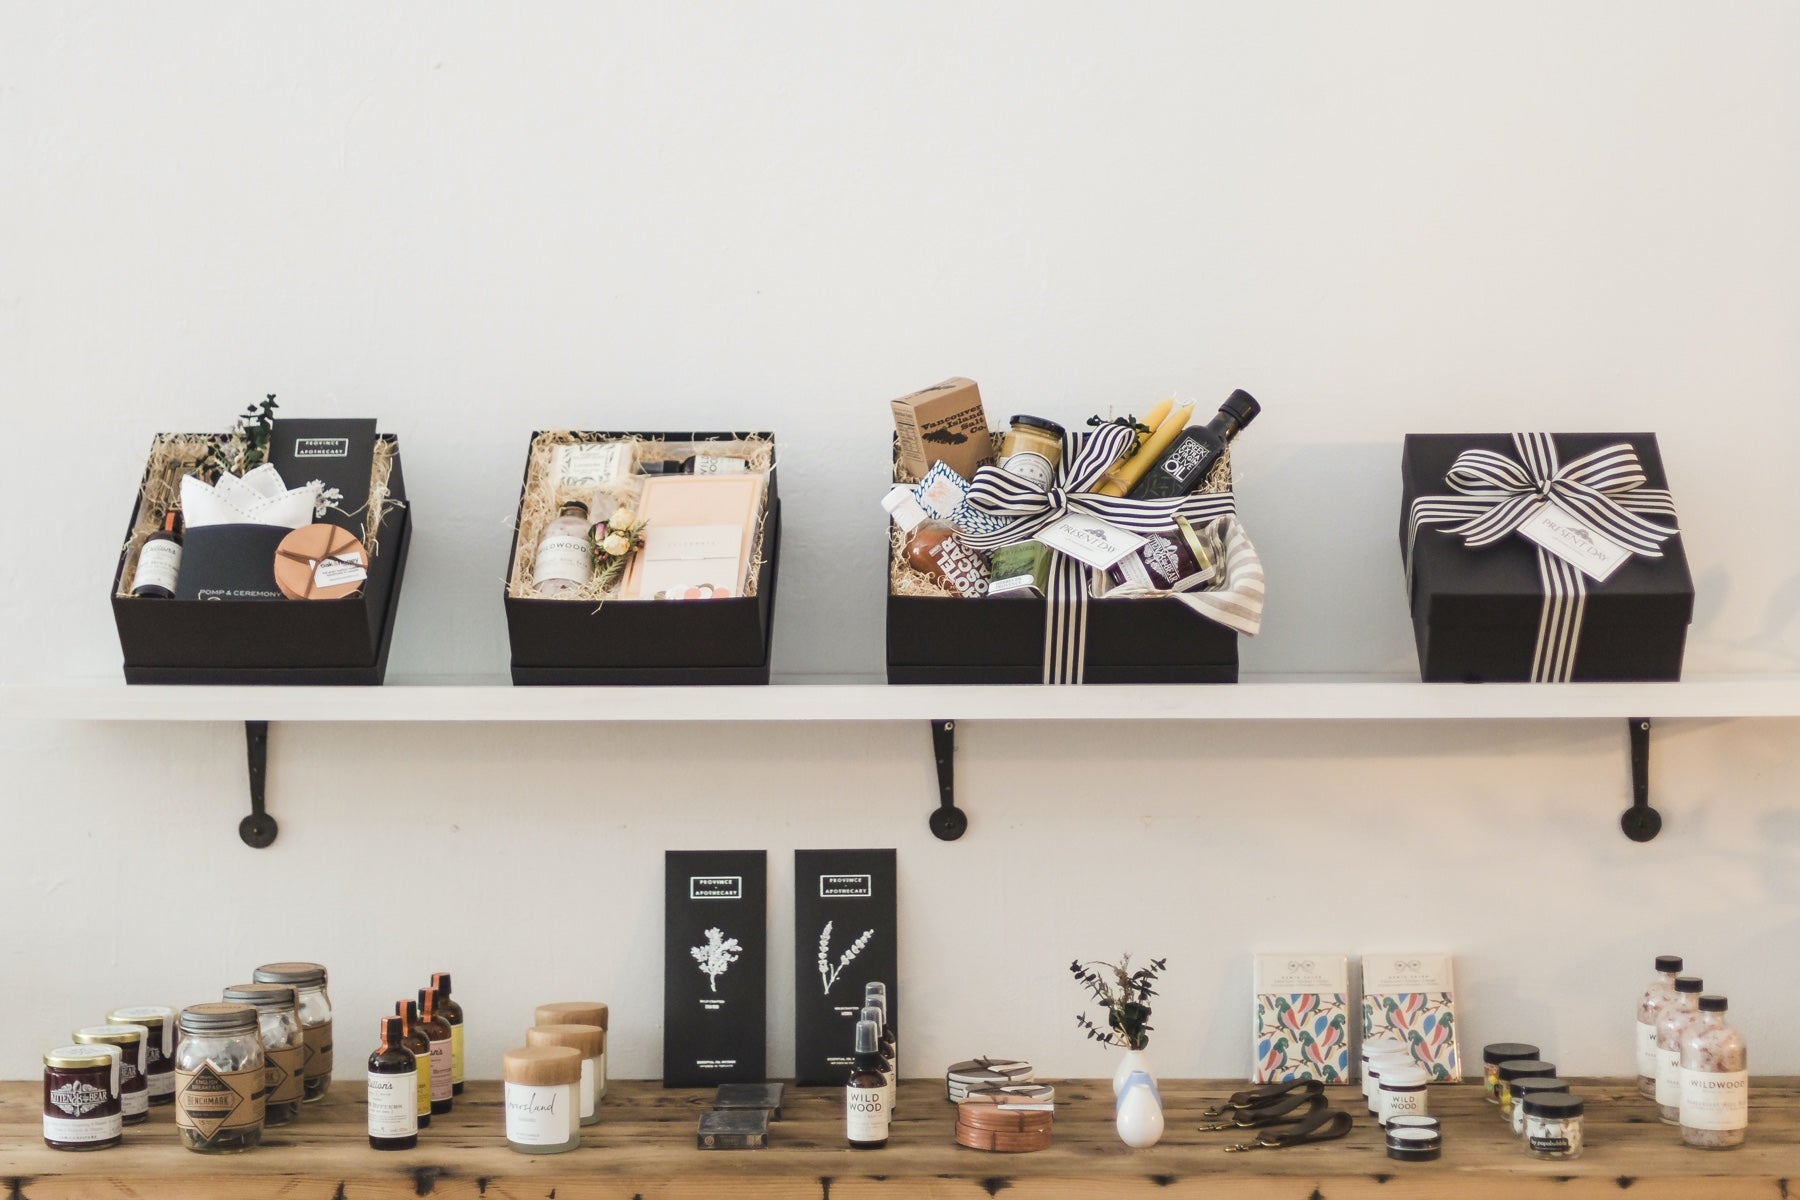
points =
(219, 1079)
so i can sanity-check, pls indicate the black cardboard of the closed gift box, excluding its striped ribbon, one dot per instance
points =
(1479, 613)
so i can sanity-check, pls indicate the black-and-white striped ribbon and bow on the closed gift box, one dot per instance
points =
(1495, 496)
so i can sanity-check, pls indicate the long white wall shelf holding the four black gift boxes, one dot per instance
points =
(863, 699)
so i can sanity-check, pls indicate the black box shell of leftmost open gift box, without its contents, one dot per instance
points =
(202, 641)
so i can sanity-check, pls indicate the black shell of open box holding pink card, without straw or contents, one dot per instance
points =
(715, 641)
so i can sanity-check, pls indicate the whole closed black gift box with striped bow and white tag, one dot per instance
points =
(1543, 559)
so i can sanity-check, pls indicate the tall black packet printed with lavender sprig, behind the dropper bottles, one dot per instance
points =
(845, 936)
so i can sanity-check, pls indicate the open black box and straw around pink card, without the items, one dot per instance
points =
(602, 640)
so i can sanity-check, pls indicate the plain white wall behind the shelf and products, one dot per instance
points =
(478, 222)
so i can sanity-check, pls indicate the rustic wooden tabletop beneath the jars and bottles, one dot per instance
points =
(643, 1151)
